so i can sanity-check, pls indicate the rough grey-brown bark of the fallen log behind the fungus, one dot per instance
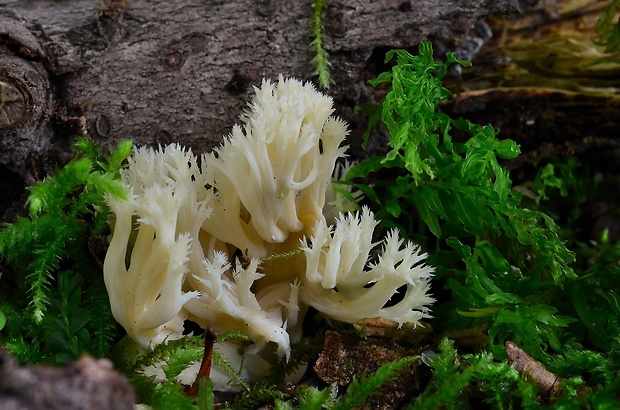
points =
(162, 71)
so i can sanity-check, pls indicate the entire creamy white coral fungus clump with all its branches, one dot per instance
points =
(206, 235)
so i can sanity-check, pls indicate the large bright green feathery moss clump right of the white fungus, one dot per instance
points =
(459, 193)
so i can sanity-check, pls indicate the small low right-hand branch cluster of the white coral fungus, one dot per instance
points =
(342, 284)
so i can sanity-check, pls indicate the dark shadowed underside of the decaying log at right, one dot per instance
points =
(548, 123)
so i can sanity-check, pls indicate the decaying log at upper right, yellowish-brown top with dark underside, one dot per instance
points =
(544, 82)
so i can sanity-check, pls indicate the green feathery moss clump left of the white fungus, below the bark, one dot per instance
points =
(65, 210)
